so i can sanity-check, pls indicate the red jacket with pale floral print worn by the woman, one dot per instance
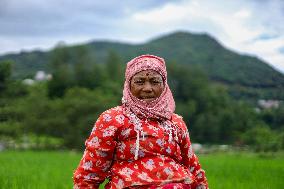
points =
(161, 163)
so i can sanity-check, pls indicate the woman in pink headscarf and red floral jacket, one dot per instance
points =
(142, 143)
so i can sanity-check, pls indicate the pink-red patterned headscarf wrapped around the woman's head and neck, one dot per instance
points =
(161, 108)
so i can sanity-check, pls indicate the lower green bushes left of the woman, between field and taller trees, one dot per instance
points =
(70, 118)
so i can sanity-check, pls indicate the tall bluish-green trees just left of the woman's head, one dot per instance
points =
(74, 67)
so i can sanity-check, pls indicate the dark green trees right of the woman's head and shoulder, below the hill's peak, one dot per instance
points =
(211, 115)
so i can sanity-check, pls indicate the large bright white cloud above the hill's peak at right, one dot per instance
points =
(235, 24)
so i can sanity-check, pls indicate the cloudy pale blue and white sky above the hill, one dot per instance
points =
(253, 27)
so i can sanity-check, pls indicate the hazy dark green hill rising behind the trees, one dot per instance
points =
(244, 76)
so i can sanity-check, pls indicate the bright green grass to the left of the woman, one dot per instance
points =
(37, 170)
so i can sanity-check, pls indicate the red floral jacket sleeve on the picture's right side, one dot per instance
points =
(190, 160)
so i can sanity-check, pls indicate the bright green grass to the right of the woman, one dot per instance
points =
(244, 170)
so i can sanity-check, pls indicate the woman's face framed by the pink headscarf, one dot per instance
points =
(147, 85)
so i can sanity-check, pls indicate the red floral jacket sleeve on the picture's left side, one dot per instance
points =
(98, 155)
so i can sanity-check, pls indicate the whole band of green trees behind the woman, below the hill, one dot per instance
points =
(65, 108)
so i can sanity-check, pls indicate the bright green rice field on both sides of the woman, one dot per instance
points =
(42, 170)
